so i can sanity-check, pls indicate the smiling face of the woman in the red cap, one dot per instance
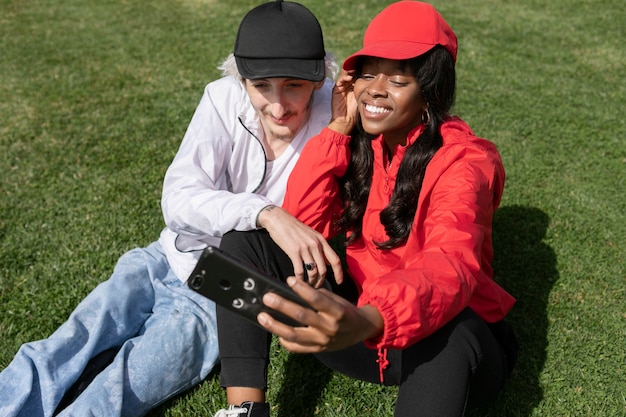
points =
(389, 99)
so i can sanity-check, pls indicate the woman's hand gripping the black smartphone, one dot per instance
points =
(335, 324)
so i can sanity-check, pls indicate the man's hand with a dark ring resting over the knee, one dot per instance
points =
(302, 244)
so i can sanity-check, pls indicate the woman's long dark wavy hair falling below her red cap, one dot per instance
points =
(435, 73)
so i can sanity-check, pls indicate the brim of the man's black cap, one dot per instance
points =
(305, 69)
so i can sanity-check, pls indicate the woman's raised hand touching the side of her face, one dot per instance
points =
(344, 105)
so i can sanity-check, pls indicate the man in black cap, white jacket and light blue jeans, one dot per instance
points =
(142, 336)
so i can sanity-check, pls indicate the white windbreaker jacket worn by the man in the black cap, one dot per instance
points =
(220, 179)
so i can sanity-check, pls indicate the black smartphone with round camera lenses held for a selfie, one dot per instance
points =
(237, 287)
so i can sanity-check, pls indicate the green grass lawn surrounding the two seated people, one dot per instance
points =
(95, 97)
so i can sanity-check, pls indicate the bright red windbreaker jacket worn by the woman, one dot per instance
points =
(445, 264)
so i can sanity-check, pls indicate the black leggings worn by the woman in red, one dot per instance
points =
(461, 363)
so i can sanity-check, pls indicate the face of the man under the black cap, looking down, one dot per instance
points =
(283, 104)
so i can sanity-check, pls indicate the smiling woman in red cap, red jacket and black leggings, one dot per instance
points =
(414, 190)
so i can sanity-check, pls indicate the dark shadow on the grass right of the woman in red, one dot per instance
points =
(526, 267)
